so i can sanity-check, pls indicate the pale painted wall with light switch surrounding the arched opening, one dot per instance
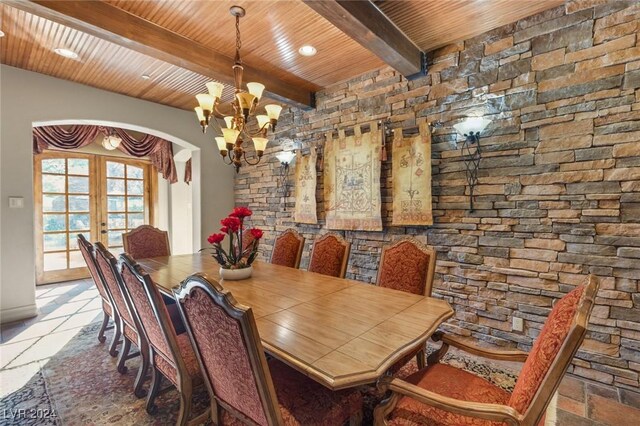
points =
(27, 98)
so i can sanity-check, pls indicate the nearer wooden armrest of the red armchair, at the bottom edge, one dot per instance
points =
(491, 412)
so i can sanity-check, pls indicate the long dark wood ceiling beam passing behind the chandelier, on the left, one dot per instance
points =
(125, 29)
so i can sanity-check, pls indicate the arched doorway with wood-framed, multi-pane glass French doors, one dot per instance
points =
(101, 195)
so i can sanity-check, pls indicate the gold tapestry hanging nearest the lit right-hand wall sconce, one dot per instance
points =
(411, 164)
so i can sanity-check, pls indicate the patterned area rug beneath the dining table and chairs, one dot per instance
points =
(81, 386)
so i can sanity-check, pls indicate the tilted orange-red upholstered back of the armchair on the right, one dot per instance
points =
(562, 334)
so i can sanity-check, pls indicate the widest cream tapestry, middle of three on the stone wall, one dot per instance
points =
(352, 180)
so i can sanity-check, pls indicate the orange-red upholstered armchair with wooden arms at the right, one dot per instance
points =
(445, 395)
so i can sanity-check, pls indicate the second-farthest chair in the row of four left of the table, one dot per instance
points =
(126, 328)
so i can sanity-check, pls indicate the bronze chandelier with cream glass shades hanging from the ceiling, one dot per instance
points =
(237, 113)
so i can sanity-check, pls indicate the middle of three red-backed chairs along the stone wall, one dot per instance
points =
(330, 255)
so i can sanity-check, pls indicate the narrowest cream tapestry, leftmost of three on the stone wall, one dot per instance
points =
(306, 178)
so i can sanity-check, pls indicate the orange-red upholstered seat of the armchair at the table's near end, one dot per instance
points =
(454, 383)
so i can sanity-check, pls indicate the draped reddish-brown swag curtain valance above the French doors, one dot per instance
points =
(159, 151)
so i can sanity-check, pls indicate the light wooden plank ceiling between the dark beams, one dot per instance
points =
(272, 33)
